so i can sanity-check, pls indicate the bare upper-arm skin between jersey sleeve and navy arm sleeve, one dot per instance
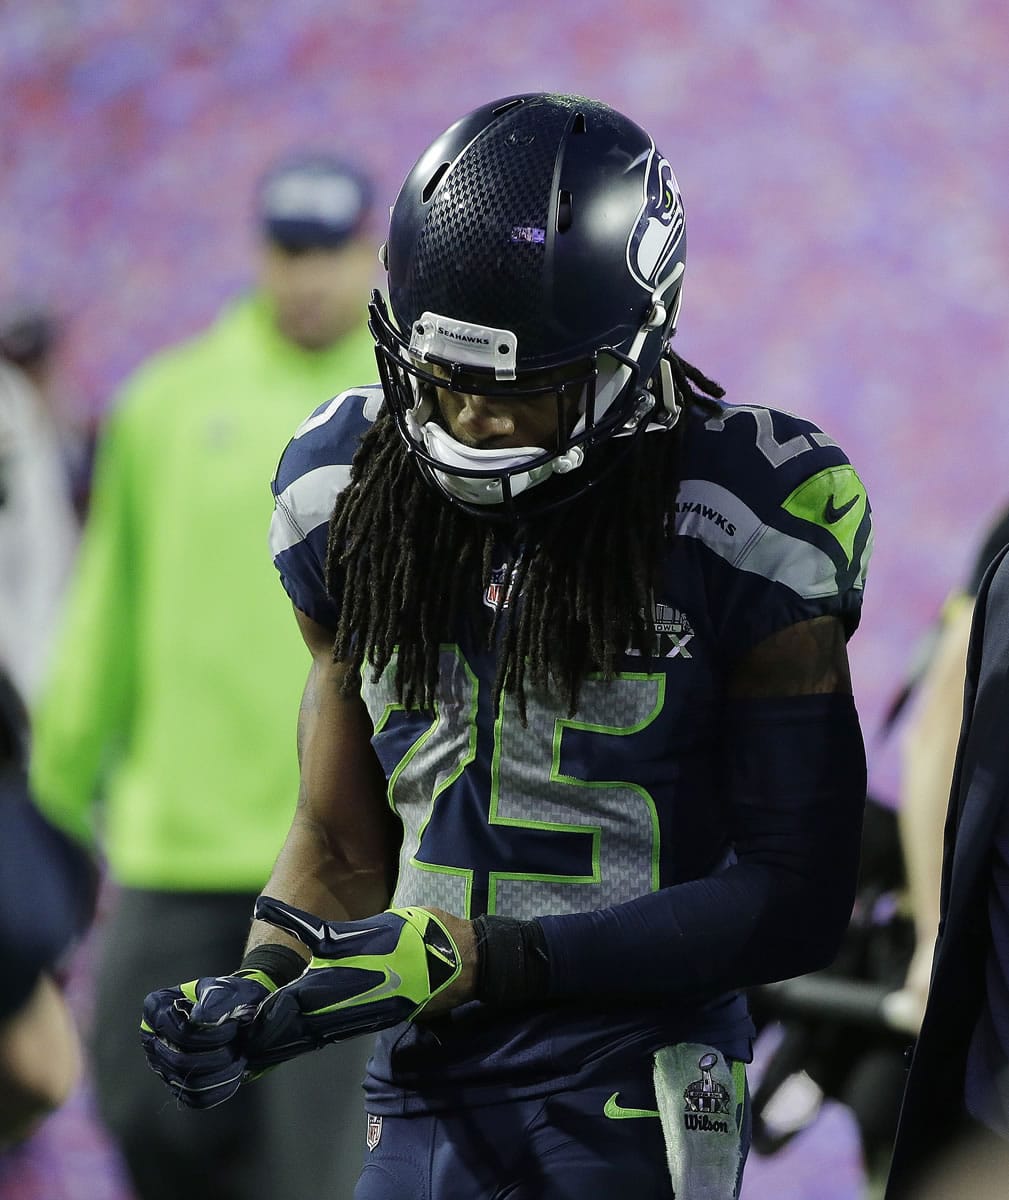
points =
(807, 659)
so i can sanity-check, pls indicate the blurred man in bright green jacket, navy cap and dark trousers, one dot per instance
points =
(165, 736)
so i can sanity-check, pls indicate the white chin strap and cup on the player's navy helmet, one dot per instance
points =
(489, 489)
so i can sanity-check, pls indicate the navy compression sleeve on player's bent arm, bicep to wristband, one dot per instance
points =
(797, 799)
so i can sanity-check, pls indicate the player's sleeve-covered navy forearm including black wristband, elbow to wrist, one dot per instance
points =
(752, 925)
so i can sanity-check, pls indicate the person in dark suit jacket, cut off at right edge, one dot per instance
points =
(958, 1089)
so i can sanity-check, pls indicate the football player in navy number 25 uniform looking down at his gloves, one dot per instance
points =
(580, 758)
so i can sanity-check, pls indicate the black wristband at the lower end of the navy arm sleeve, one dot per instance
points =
(512, 967)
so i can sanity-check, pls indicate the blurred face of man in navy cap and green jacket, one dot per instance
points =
(319, 296)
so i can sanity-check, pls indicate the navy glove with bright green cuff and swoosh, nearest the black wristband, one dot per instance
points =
(364, 976)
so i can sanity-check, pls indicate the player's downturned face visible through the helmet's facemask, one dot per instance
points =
(503, 422)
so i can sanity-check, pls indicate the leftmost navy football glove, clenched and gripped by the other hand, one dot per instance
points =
(194, 1036)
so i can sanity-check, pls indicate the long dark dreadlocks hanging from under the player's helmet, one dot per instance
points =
(405, 565)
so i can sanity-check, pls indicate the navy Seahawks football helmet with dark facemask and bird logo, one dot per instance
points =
(537, 248)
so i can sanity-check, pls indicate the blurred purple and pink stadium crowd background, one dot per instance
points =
(845, 172)
